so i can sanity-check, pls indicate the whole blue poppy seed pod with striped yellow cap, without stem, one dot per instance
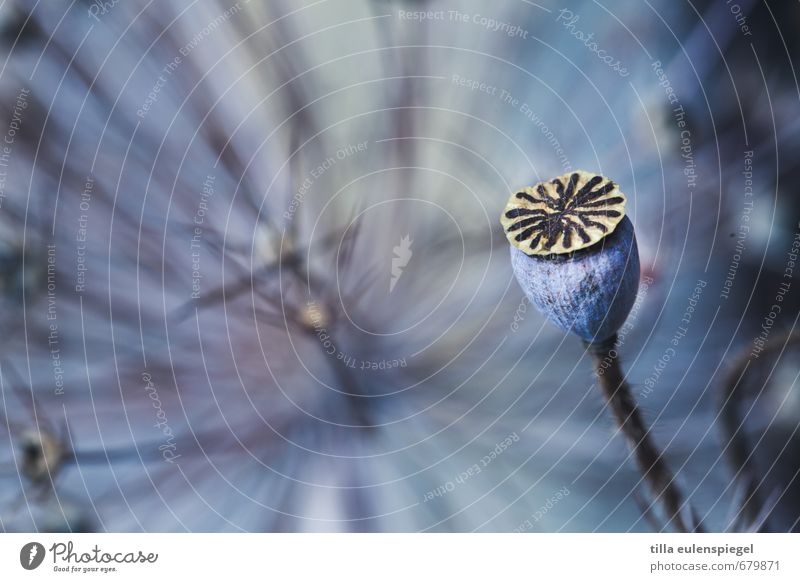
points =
(574, 253)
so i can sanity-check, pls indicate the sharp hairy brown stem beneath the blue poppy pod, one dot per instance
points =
(649, 458)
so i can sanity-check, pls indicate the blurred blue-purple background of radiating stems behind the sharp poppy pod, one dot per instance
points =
(253, 277)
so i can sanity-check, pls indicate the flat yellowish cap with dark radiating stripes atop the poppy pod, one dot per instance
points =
(566, 214)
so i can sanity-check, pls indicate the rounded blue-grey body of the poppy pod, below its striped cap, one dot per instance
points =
(589, 292)
